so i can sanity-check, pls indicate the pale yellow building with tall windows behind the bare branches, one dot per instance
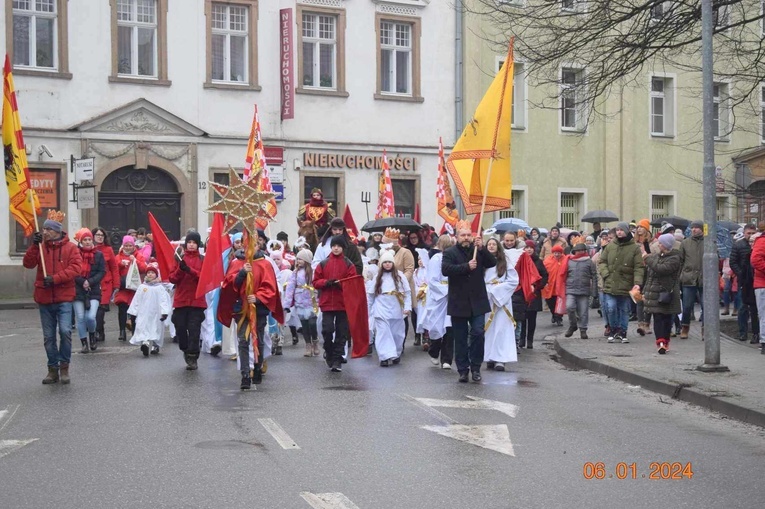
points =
(644, 159)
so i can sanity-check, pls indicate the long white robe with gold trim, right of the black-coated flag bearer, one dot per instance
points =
(499, 342)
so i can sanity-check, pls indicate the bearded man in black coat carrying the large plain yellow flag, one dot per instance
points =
(468, 302)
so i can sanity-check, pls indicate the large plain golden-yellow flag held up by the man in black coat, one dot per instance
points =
(486, 136)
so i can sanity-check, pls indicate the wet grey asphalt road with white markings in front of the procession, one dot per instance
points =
(136, 432)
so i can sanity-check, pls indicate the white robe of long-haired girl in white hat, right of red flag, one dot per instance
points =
(389, 315)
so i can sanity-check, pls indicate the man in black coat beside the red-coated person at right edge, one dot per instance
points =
(741, 265)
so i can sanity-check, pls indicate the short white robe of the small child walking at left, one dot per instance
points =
(150, 302)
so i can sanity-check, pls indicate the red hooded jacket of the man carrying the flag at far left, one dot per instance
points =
(63, 262)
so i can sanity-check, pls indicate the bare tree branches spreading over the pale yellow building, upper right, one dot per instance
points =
(615, 41)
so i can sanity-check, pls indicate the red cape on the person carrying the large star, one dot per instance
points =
(264, 287)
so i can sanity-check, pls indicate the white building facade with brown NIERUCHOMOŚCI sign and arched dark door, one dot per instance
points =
(161, 94)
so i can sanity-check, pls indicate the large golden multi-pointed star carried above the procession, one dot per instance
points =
(242, 201)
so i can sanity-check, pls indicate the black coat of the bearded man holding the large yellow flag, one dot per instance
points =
(467, 289)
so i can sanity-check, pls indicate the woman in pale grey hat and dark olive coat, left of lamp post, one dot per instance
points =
(661, 294)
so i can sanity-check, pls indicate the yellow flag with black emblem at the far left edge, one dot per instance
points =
(16, 166)
